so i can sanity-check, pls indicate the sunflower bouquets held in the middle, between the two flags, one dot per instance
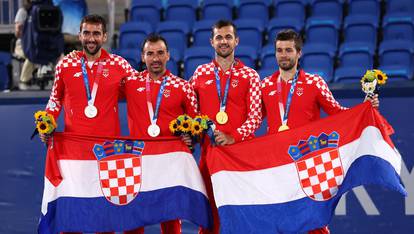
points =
(194, 127)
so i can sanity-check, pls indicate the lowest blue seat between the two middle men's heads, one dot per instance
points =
(195, 56)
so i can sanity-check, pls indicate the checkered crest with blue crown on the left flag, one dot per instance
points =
(119, 164)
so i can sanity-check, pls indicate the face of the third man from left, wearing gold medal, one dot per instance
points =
(224, 41)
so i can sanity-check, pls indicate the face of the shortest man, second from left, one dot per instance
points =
(155, 56)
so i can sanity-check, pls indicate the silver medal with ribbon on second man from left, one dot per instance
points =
(154, 130)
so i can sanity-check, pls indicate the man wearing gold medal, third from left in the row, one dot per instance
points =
(229, 93)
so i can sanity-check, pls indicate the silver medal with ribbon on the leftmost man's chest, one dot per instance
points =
(90, 110)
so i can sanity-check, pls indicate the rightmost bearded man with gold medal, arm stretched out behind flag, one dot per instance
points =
(292, 97)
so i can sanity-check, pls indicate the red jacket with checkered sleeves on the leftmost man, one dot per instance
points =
(69, 92)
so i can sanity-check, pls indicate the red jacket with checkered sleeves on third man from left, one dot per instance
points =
(243, 102)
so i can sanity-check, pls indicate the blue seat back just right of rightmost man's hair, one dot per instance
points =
(322, 30)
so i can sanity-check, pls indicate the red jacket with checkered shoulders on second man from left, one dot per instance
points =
(178, 98)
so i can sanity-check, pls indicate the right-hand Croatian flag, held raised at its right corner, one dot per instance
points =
(292, 181)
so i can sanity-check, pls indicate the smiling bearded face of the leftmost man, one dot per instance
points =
(92, 38)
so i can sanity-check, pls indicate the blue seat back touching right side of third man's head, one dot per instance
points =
(250, 32)
